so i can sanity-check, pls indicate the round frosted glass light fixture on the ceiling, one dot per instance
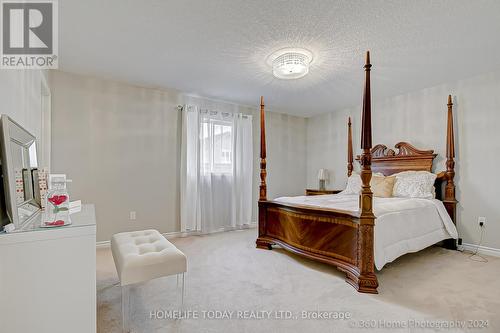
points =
(290, 63)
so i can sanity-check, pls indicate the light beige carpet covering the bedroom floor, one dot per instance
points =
(227, 273)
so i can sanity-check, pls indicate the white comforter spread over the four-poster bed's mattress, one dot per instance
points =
(402, 225)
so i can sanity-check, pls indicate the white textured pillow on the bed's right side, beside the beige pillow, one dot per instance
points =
(414, 184)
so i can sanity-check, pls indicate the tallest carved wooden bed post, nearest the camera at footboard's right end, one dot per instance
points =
(366, 280)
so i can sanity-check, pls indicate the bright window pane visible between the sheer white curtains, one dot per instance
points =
(217, 147)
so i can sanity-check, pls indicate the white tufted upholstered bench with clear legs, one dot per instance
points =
(142, 256)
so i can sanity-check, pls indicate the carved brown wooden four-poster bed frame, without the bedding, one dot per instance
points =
(345, 238)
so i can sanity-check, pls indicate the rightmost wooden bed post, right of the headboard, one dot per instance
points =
(450, 201)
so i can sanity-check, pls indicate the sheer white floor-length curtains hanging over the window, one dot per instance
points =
(217, 169)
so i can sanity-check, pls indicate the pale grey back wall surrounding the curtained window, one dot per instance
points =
(121, 146)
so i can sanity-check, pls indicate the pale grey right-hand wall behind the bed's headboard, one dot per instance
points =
(420, 118)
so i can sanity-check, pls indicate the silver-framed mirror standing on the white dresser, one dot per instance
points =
(19, 160)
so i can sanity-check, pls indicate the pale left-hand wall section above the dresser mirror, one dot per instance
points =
(21, 99)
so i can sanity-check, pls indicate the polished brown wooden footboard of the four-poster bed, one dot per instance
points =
(332, 237)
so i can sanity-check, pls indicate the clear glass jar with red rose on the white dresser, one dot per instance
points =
(57, 202)
